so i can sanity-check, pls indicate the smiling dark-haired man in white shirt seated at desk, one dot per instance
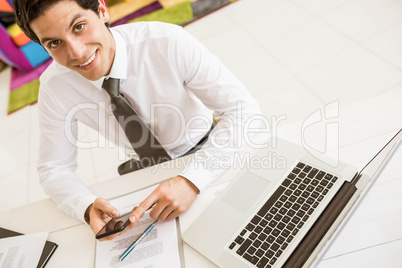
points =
(173, 83)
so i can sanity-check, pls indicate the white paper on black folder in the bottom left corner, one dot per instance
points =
(22, 251)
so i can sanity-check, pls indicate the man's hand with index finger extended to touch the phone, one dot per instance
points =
(171, 198)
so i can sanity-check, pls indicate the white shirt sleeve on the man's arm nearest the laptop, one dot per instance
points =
(236, 110)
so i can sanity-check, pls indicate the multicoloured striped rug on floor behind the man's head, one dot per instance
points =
(25, 86)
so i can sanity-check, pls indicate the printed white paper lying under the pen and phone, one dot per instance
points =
(160, 248)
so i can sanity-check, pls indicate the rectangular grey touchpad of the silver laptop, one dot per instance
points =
(245, 191)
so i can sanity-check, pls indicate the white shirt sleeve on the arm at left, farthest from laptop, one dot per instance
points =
(58, 157)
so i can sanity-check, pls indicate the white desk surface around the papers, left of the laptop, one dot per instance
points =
(75, 239)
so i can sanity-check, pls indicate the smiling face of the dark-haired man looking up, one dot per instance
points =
(77, 38)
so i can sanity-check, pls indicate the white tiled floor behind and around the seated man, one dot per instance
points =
(296, 57)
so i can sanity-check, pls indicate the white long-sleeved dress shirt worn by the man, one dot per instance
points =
(175, 85)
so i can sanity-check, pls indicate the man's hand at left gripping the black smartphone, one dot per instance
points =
(101, 211)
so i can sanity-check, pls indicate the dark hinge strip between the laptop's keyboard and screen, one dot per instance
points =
(306, 247)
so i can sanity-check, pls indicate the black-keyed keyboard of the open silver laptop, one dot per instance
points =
(279, 220)
